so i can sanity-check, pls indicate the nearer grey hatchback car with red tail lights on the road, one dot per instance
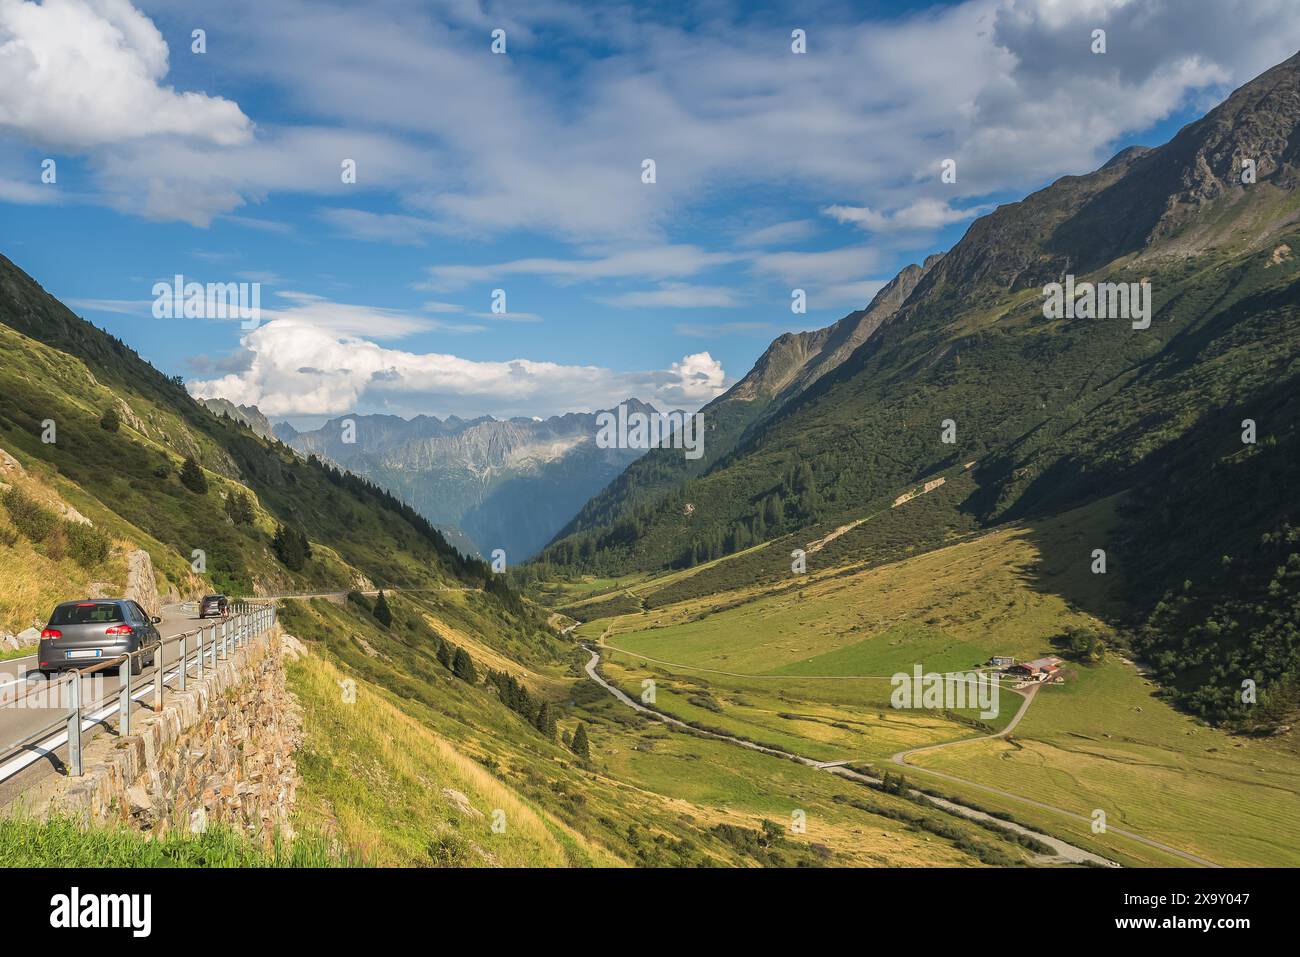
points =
(93, 630)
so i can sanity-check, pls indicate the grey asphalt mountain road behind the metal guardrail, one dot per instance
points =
(19, 720)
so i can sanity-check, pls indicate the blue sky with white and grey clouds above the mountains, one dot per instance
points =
(523, 172)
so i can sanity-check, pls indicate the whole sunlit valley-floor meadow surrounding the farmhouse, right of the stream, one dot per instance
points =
(804, 668)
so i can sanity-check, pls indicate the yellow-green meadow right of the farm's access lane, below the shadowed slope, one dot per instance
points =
(1108, 742)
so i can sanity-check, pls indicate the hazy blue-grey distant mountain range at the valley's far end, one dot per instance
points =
(506, 484)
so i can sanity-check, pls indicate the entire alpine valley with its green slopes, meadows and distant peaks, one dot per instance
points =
(692, 661)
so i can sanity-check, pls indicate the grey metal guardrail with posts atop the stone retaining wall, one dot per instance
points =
(246, 622)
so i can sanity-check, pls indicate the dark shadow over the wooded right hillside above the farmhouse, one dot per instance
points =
(1169, 519)
